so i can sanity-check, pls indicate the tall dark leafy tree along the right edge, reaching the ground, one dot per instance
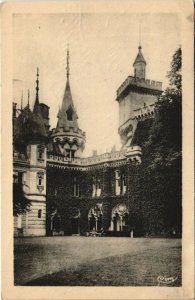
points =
(163, 151)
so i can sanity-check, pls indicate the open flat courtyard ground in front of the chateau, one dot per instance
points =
(97, 261)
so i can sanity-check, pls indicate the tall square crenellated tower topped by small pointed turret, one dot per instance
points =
(136, 98)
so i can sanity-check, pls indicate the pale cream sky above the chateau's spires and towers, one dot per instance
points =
(102, 49)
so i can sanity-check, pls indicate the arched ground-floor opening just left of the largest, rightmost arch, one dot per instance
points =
(95, 218)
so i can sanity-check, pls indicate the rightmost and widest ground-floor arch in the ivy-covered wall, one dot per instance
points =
(120, 218)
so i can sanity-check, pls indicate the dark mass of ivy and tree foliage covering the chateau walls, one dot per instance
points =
(154, 187)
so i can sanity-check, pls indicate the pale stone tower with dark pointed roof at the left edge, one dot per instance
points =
(30, 138)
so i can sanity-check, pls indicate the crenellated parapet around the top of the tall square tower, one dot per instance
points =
(150, 84)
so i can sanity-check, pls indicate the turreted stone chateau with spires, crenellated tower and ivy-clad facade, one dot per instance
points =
(71, 194)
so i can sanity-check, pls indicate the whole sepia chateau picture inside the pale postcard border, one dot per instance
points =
(97, 155)
